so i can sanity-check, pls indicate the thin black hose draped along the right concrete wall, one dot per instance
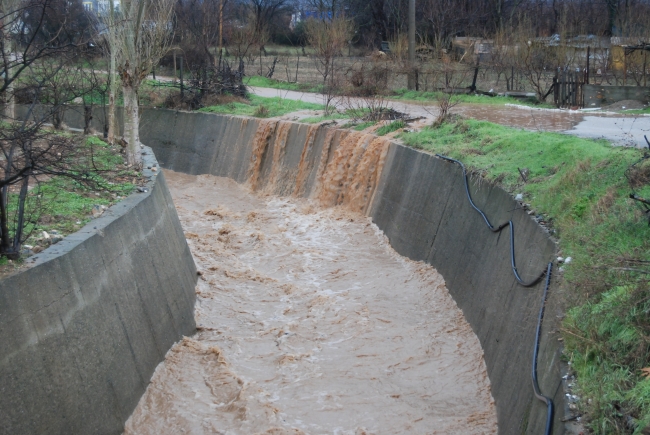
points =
(547, 272)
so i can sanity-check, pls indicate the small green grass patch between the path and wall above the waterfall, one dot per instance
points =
(263, 107)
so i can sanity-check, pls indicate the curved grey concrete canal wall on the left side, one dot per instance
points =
(86, 325)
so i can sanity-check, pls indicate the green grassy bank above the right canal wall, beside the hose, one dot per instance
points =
(580, 187)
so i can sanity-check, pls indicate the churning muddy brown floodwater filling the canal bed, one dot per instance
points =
(310, 323)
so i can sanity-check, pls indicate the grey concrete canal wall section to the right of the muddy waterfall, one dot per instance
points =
(422, 207)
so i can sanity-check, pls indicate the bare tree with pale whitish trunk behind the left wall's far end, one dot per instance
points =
(143, 35)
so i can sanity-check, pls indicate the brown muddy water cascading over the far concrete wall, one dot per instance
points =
(348, 171)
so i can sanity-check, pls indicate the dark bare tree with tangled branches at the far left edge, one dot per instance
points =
(29, 151)
